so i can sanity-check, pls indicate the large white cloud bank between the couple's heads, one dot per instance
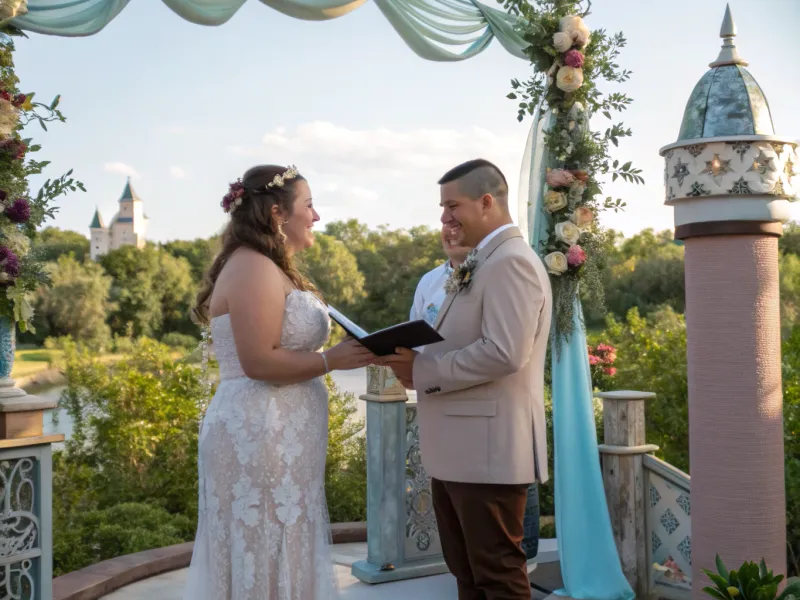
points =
(383, 176)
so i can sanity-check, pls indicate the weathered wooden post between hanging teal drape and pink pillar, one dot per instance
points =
(623, 477)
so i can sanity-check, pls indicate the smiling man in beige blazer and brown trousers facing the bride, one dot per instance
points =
(481, 391)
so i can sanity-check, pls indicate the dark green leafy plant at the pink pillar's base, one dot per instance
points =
(751, 582)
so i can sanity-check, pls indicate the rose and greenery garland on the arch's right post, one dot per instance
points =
(568, 62)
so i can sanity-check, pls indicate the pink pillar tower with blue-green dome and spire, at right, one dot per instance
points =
(729, 178)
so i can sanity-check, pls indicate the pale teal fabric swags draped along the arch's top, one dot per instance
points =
(429, 27)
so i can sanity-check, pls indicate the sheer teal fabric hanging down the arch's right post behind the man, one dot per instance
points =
(590, 566)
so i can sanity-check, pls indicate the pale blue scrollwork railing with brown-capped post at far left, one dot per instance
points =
(26, 536)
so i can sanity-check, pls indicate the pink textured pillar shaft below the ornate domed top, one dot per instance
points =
(735, 399)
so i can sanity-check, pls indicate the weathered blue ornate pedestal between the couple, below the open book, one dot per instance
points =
(402, 540)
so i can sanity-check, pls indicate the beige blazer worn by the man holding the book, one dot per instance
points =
(480, 392)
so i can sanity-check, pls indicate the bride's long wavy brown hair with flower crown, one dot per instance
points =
(254, 225)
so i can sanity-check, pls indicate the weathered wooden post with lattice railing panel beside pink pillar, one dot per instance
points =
(649, 502)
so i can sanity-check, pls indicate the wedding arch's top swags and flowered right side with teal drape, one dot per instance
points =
(563, 165)
